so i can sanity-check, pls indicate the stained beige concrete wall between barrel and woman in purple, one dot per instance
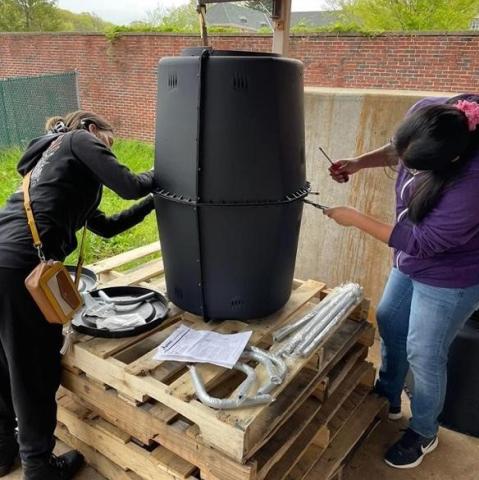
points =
(346, 123)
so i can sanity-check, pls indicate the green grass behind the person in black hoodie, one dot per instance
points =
(138, 157)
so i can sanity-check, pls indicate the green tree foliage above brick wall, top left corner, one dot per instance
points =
(28, 15)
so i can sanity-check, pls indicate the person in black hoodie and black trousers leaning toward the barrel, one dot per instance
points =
(70, 166)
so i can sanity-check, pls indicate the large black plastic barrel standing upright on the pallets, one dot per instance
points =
(231, 169)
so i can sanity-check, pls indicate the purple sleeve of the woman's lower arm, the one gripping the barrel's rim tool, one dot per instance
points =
(452, 223)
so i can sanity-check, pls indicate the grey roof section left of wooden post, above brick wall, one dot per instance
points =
(228, 14)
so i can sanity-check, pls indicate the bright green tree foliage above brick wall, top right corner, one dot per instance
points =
(405, 15)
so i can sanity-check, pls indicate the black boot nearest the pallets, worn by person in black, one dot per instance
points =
(63, 467)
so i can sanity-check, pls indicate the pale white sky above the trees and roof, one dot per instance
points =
(126, 11)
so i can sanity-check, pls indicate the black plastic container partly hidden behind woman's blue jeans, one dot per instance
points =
(461, 408)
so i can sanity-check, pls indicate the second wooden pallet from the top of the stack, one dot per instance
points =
(152, 423)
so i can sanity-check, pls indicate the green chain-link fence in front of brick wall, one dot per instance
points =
(26, 103)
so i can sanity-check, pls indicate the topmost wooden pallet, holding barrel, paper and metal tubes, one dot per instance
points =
(127, 366)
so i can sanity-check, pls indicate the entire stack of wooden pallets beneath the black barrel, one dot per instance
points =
(134, 418)
